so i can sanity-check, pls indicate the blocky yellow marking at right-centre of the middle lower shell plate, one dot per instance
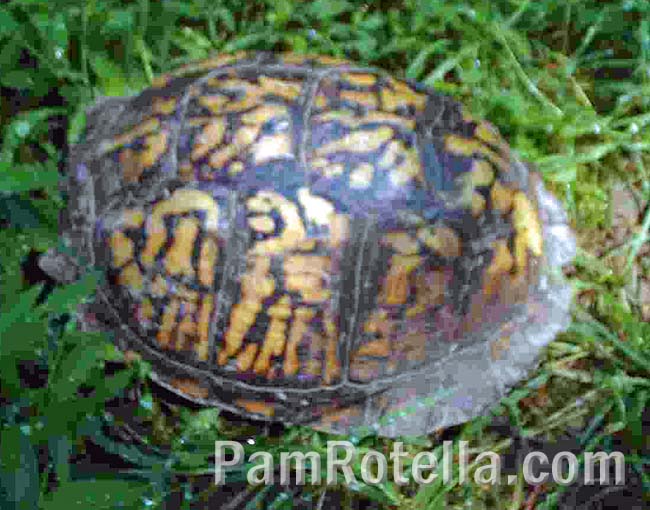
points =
(304, 274)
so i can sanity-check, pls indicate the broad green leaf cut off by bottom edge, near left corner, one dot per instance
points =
(97, 494)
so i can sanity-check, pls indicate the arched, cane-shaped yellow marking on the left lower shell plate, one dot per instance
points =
(181, 201)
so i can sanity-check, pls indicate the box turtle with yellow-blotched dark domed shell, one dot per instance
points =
(303, 239)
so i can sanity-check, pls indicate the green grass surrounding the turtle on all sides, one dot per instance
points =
(568, 83)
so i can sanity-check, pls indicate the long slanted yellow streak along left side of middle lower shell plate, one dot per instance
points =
(256, 285)
